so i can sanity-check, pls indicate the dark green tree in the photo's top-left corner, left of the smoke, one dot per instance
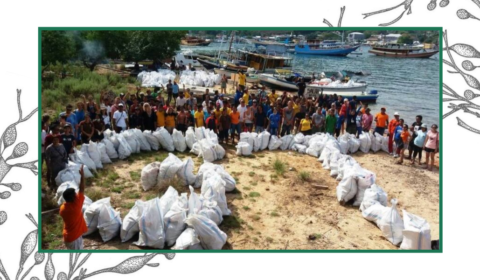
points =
(56, 47)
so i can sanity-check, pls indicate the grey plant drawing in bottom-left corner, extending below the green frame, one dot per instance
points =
(76, 262)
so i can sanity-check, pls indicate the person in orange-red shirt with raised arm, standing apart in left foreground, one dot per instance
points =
(74, 225)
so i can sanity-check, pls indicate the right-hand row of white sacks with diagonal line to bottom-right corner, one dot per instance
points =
(356, 185)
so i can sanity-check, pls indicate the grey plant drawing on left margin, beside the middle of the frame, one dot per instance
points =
(8, 138)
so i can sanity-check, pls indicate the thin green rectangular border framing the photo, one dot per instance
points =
(439, 29)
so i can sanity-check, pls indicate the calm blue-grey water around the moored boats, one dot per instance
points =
(407, 86)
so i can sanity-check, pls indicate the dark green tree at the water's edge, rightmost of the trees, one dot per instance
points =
(155, 45)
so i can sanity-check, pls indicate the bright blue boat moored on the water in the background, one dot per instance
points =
(331, 48)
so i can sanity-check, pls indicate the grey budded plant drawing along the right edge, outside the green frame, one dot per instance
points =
(467, 105)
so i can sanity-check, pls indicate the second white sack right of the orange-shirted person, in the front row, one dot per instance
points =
(109, 222)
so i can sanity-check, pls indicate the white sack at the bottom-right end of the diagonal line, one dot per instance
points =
(416, 235)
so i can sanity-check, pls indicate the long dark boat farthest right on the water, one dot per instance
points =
(399, 51)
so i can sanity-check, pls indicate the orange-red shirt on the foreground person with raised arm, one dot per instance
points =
(74, 224)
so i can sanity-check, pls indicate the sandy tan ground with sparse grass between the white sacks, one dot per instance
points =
(271, 211)
